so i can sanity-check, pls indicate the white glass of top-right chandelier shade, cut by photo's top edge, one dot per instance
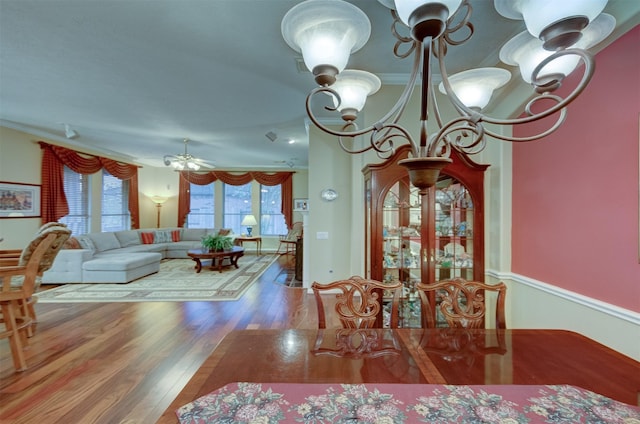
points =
(539, 14)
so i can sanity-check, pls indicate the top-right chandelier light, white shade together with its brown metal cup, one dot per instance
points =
(558, 24)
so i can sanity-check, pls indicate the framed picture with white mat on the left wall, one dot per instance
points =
(20, 200)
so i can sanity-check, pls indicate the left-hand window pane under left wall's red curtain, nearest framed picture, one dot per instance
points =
(76, 190)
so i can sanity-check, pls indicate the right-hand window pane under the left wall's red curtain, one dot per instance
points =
(115, 203)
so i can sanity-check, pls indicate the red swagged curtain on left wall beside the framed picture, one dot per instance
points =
(54, 202)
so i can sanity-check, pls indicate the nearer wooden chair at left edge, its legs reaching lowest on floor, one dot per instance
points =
(13, 300)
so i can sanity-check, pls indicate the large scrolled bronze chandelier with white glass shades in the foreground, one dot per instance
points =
(557, 35)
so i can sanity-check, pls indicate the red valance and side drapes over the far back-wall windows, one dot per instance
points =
(283, 178)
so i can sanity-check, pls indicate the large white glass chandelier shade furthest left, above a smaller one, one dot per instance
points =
(326, 32)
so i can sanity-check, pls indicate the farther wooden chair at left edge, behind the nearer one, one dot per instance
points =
(21, 280)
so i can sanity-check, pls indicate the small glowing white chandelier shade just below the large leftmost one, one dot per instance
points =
(353, 87)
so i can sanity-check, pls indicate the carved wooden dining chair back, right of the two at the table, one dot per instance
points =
(461, 303)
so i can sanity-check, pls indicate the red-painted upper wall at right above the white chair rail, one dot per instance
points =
(575, 193)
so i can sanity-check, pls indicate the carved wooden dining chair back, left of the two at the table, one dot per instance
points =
(357, 301)
